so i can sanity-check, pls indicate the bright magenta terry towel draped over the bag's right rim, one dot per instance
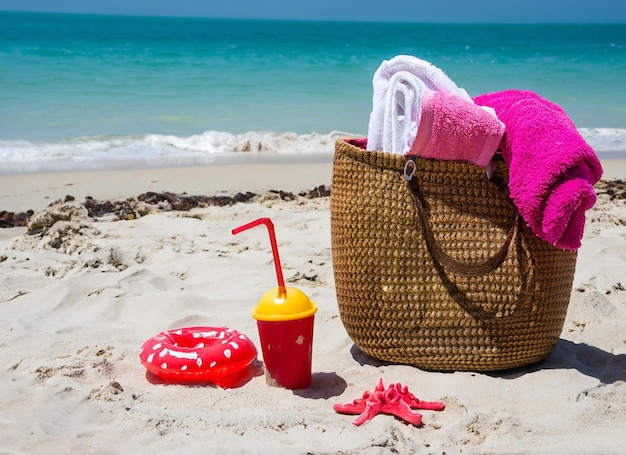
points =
(552, 169)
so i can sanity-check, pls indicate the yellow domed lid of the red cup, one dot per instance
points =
(291, 305)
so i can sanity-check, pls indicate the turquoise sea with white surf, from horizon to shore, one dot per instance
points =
(86, 91)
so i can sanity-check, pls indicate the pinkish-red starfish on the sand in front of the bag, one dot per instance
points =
(395, 400)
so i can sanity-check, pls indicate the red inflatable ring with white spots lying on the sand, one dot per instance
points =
(197, 354)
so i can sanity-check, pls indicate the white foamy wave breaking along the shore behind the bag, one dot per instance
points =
(154, 150)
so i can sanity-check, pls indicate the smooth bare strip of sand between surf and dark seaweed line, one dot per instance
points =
(228, 175)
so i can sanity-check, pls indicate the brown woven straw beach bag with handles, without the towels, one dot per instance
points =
(435, 268)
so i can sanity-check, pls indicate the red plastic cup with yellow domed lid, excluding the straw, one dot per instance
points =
(285, 327)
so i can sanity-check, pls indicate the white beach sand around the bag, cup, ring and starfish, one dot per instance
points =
(74, 317)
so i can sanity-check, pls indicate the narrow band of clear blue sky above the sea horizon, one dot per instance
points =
(359, 10)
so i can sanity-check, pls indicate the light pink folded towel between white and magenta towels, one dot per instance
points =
(453, 128)
